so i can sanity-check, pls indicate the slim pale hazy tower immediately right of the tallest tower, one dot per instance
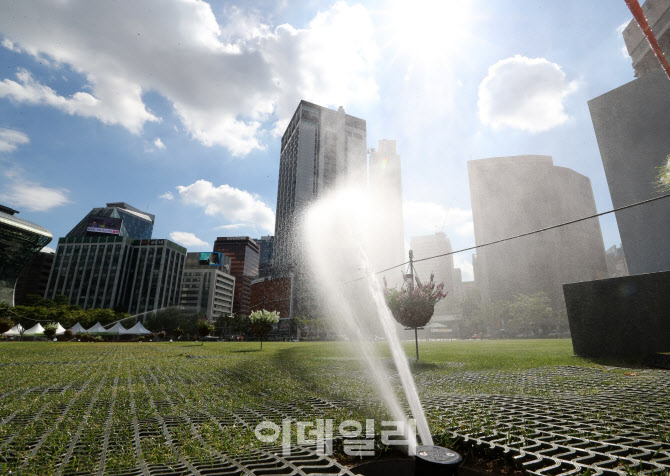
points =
(386, 191)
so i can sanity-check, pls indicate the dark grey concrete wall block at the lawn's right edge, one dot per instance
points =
(620, 317)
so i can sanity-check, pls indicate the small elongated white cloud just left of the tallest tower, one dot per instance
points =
(230, 203)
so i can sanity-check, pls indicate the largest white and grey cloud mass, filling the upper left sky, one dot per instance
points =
(228, 84)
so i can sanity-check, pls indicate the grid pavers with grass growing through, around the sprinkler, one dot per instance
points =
(152, 409)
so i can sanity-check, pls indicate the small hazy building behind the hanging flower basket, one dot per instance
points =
(442, 268)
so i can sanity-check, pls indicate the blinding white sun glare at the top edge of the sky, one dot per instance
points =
(427, 31)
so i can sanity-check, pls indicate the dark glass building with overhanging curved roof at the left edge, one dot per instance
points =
(20, 241)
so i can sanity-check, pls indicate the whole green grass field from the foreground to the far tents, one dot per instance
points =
(152, 408)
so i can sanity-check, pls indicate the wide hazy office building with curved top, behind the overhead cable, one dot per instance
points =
(515, 195)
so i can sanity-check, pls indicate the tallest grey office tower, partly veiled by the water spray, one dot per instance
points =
(320, 149)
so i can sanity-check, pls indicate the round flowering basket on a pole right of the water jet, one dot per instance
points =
(413, 306)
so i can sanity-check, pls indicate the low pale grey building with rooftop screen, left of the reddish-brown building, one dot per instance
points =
(207, 287)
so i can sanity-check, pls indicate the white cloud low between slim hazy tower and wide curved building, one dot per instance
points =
(429, 217)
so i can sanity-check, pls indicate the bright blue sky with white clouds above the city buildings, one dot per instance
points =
(177, 107)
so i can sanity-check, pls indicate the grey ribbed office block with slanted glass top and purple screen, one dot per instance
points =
(108, 260)
